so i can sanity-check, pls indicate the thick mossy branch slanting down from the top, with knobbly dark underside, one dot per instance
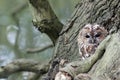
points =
(45, 19)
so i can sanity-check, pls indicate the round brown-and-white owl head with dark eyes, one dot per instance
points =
(93, 34)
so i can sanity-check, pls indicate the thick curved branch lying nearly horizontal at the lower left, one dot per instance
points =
(23, 65)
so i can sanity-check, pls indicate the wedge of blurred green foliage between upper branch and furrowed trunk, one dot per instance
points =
(63, 8)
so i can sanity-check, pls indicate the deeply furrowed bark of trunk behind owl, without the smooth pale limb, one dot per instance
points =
(104, 12)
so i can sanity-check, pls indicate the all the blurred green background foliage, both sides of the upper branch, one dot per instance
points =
(17, 33)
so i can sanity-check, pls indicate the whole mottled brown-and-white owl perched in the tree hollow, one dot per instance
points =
(89, 38)
